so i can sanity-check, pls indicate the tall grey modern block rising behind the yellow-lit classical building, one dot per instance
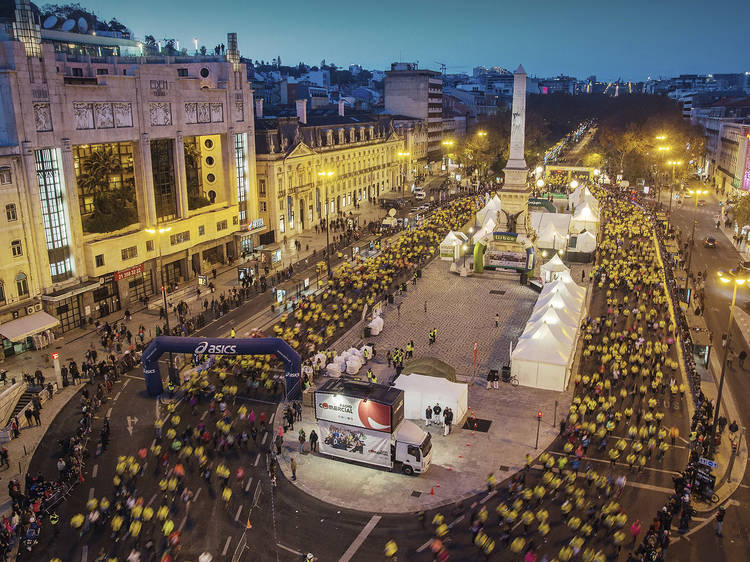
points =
(417, 93)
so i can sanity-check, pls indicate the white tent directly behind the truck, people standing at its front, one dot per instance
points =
(421, 391)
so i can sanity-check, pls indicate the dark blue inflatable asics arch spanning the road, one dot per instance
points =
(221, 346)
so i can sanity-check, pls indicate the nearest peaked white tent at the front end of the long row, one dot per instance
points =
(541, 362)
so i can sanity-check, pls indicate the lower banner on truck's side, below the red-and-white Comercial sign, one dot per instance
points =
(357, 444)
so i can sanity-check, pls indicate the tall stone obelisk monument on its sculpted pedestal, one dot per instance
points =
(514, 196)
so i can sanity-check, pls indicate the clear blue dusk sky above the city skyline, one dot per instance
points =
(632, 39)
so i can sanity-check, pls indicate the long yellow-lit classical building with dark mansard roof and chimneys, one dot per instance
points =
(361, 150)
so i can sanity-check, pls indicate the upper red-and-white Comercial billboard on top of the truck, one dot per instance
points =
(357, 412)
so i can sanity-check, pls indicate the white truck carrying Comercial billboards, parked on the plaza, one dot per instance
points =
(364, 423)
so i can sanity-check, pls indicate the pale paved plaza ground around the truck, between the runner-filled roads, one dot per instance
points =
(463, 310)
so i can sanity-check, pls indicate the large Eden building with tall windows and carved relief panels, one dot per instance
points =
(103, 148)
